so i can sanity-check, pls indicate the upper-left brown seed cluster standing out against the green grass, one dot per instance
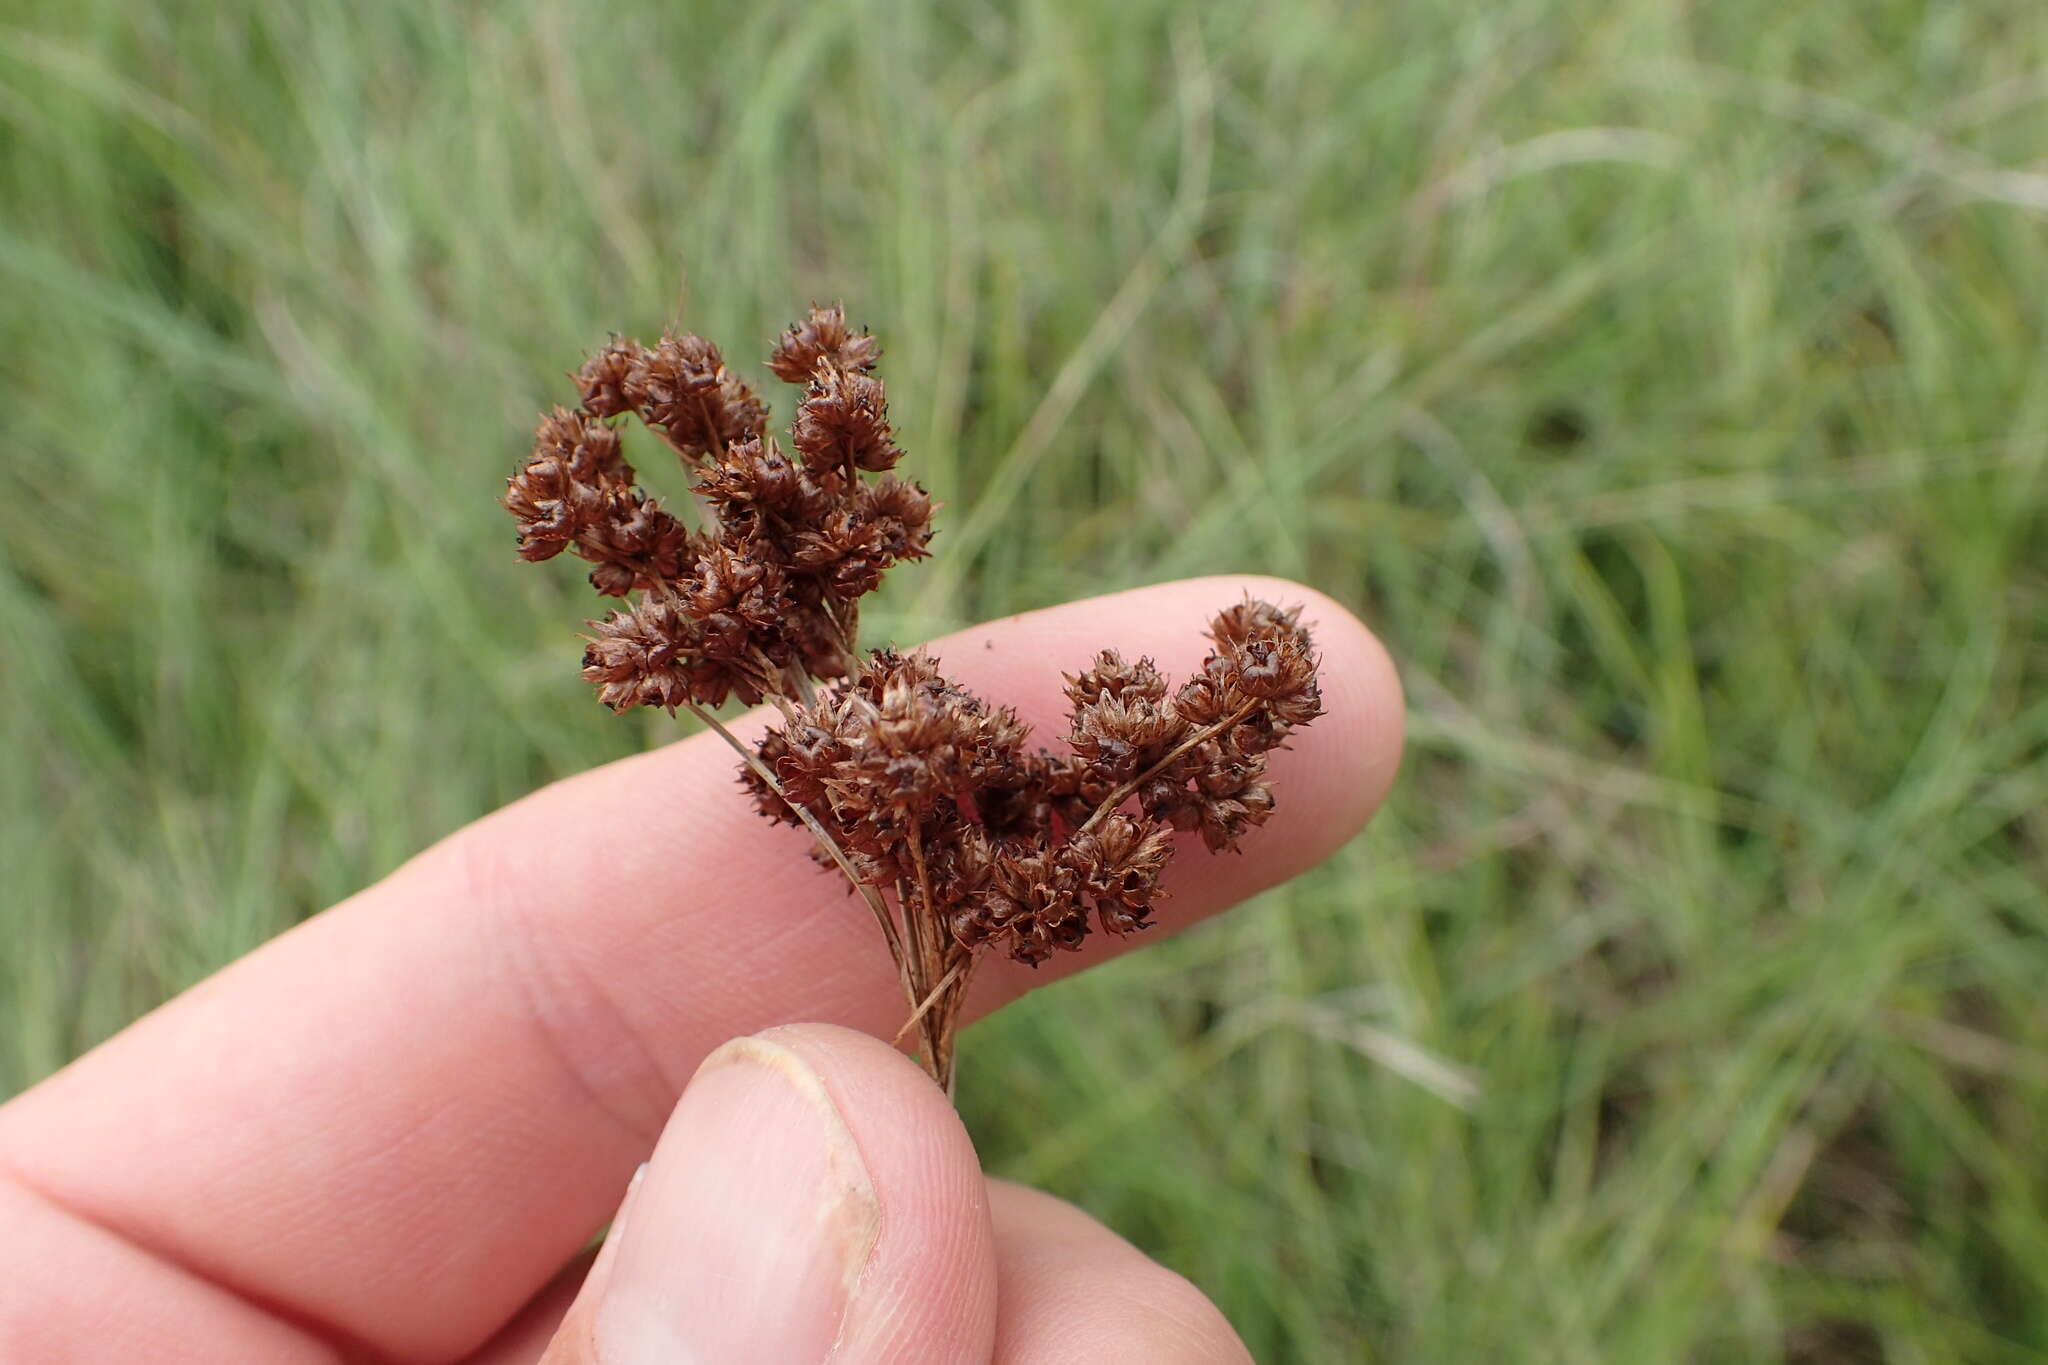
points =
(767, 588)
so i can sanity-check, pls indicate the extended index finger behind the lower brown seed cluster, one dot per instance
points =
(394, 1122)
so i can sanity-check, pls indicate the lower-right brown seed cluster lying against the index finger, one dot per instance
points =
(933, 795)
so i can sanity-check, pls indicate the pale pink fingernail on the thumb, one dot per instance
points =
(753, 1225)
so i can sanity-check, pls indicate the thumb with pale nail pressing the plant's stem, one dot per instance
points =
(814, 1198)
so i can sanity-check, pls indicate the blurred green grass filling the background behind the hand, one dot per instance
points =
(1664, 382)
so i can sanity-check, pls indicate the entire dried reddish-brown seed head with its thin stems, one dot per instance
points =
(933, 803)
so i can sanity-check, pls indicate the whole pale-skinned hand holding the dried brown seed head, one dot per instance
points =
(386, 1135)
